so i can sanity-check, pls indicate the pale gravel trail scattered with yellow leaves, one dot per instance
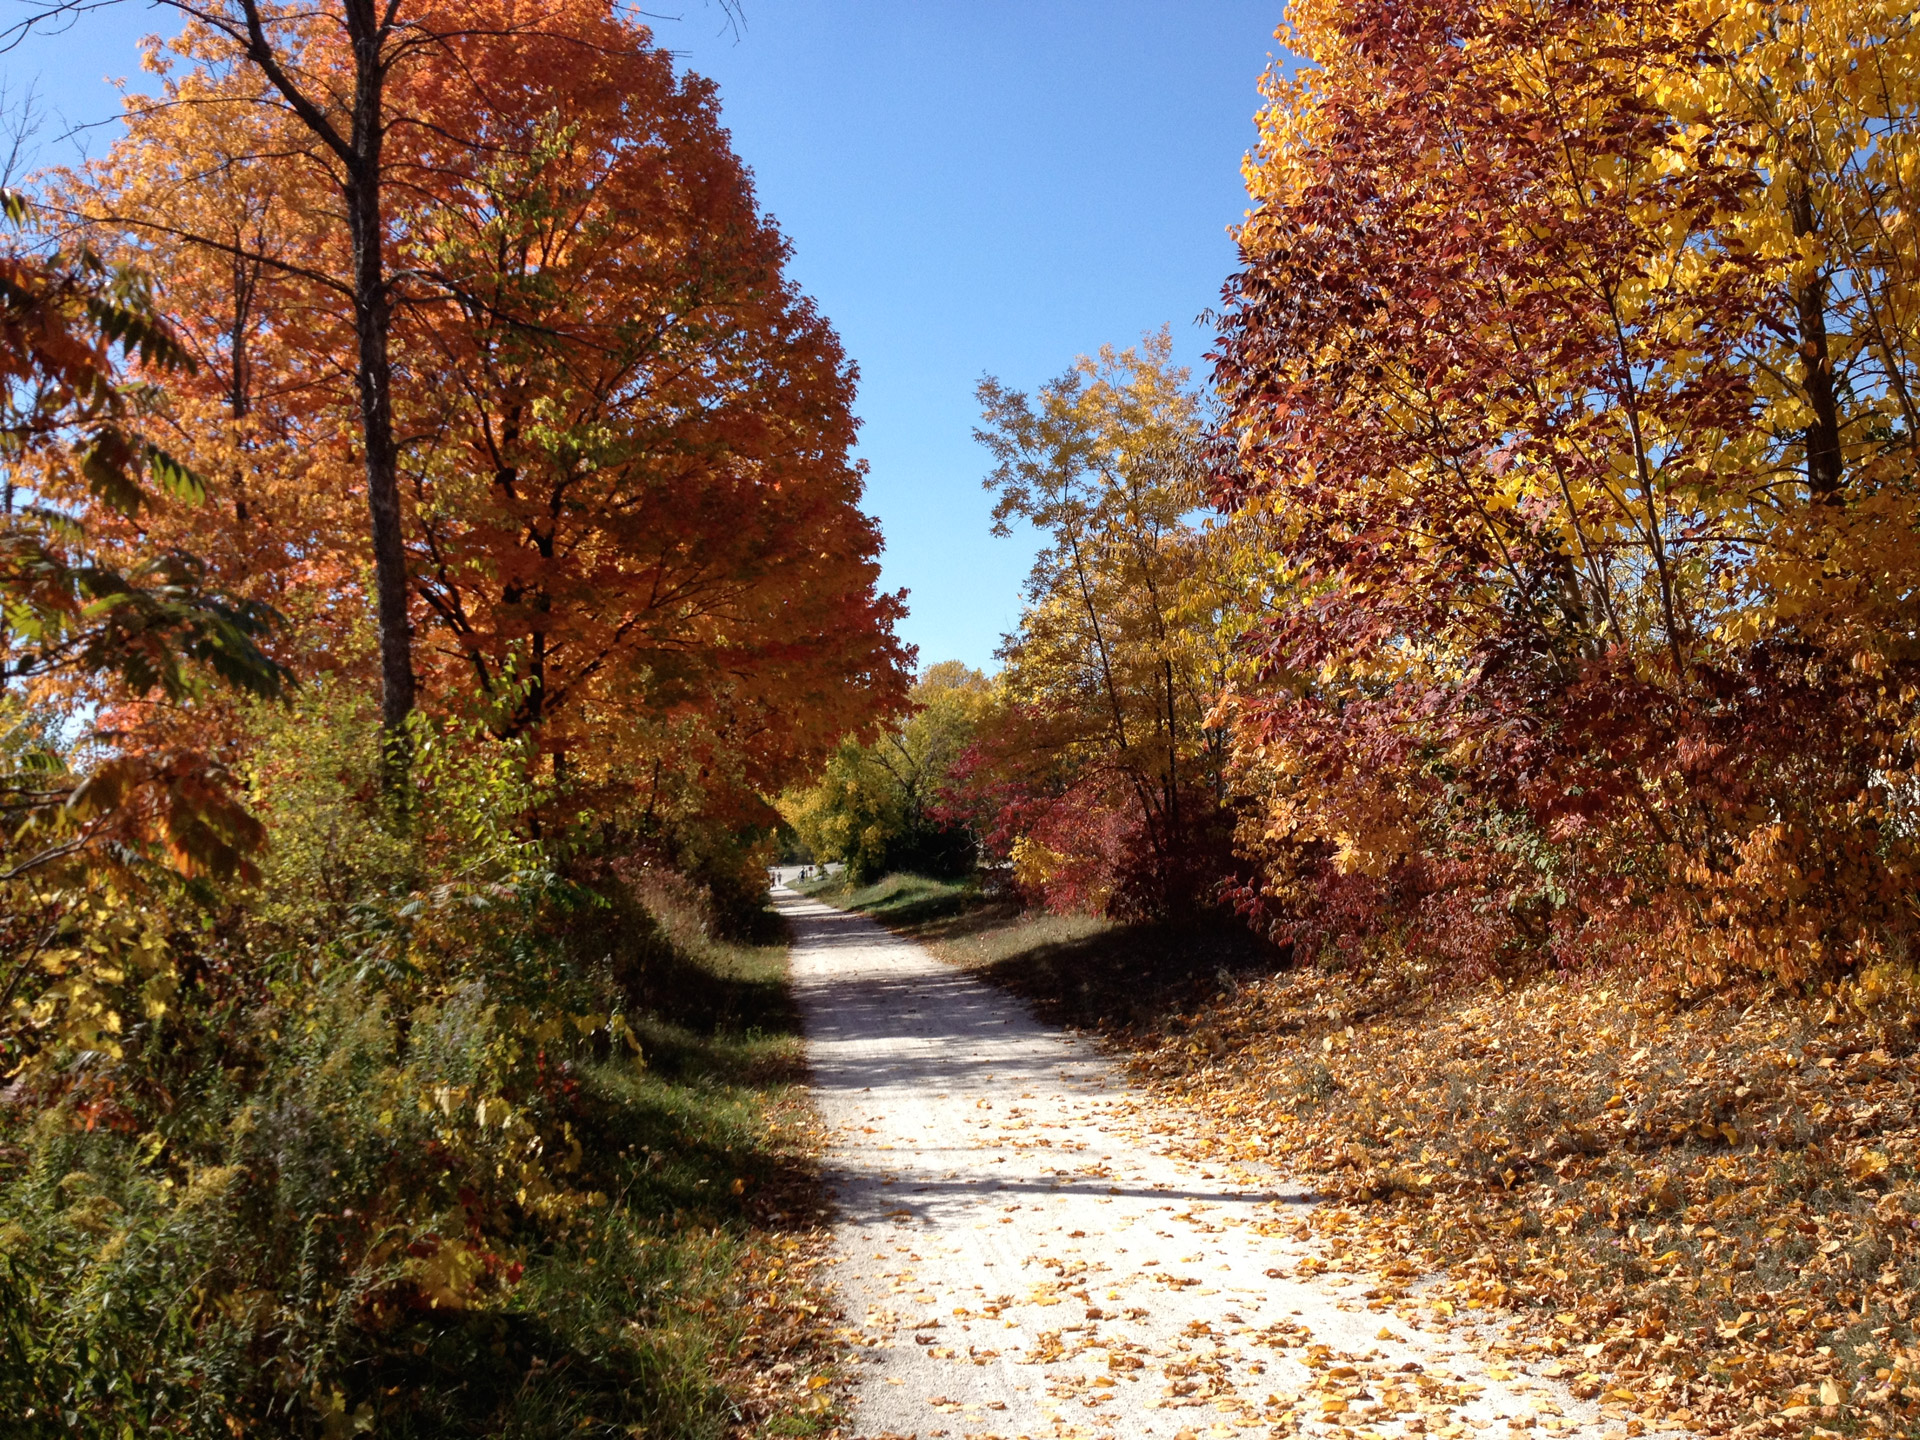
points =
(1019, 1259)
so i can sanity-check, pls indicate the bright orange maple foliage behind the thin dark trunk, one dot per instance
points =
(631, 512)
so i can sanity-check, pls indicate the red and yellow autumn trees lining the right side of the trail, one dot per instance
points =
(1535, 581)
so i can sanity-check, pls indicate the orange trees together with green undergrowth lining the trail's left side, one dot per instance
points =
(429, 535)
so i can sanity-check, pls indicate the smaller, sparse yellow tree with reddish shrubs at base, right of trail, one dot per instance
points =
(1101, 779)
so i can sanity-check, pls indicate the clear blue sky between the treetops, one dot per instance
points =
(972, 187)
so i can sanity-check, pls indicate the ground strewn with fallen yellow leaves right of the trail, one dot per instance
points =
(1702, 1209)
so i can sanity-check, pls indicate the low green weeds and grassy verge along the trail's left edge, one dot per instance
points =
(312, 1249)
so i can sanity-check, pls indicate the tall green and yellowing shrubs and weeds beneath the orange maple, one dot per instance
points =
(433, 1138)
